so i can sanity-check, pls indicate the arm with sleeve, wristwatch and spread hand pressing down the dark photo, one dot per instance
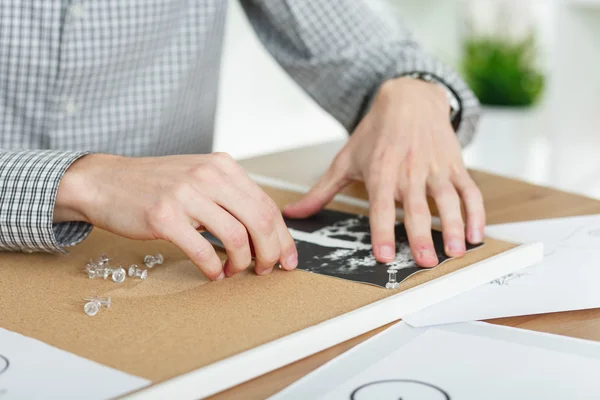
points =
(403, 145)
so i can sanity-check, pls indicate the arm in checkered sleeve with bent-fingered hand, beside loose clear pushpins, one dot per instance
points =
(51, 199)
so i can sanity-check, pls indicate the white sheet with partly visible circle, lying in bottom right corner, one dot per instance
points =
(469, 361)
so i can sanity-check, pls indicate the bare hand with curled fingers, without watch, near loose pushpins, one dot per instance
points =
(171, 198)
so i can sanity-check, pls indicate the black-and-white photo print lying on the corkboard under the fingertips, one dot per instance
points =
(338, 244)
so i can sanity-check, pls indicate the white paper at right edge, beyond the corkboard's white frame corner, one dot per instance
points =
(567, 279)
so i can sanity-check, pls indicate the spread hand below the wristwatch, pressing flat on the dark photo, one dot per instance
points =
(404, 149)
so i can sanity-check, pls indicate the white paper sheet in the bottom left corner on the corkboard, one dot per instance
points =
(30, 369)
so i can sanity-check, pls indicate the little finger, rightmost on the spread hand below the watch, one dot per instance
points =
(474, 207)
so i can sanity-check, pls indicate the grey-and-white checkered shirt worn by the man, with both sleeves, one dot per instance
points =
(140, 78)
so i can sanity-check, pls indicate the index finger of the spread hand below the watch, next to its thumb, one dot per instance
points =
(382, 216)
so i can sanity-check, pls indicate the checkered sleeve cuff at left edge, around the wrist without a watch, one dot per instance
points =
(28, 184)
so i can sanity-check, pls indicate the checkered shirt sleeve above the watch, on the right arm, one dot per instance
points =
(341, 51)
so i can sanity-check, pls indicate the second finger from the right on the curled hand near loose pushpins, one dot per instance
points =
(258, 220)
